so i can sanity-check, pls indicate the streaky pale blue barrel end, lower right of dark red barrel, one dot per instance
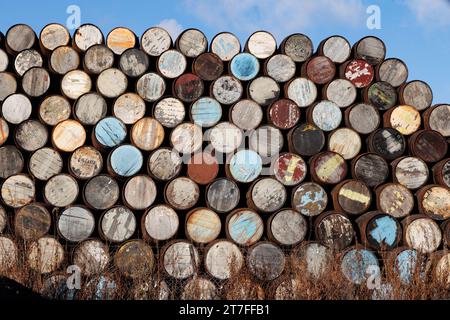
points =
(206, 112)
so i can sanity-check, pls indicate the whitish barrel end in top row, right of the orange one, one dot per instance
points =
(155, 40)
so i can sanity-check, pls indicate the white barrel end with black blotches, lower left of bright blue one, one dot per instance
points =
(227, 90)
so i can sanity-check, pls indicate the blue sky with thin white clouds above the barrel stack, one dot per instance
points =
(416, 31)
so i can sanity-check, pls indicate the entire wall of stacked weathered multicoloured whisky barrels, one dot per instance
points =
(161, 163)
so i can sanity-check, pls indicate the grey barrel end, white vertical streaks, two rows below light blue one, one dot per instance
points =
(117, 224)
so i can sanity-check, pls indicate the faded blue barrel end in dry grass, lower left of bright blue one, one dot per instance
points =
(355, 263)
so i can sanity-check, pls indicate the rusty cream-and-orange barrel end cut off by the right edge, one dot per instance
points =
(434, 201)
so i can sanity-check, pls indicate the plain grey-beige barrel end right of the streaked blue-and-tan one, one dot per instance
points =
(287, 227)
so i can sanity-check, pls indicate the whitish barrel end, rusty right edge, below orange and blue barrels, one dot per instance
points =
(223, 259)
